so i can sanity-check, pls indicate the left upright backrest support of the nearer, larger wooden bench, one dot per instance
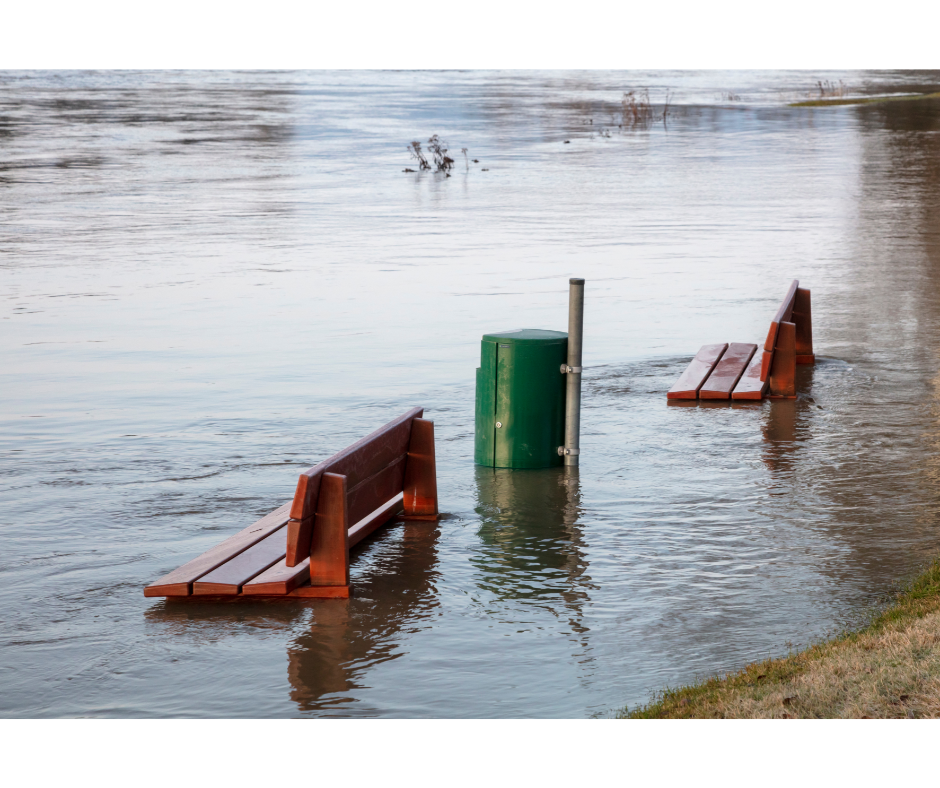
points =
(329, 546)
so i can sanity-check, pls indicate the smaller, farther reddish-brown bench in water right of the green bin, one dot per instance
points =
(737, 371)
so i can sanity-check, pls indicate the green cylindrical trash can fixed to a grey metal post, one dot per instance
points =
(520, 408)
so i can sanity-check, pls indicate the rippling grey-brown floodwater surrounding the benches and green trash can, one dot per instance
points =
(211, 281)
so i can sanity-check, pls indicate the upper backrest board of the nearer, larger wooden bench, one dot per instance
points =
(356, 462)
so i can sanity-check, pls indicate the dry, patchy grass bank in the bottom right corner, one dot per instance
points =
(890, 668)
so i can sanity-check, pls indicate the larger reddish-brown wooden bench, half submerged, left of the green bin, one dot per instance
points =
(301, 549)
